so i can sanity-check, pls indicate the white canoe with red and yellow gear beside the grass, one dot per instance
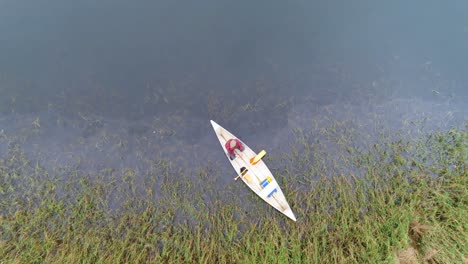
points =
(258, 177)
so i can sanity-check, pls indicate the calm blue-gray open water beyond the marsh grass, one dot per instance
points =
(98, 84)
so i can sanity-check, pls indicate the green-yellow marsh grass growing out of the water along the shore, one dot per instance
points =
(398, 201)
